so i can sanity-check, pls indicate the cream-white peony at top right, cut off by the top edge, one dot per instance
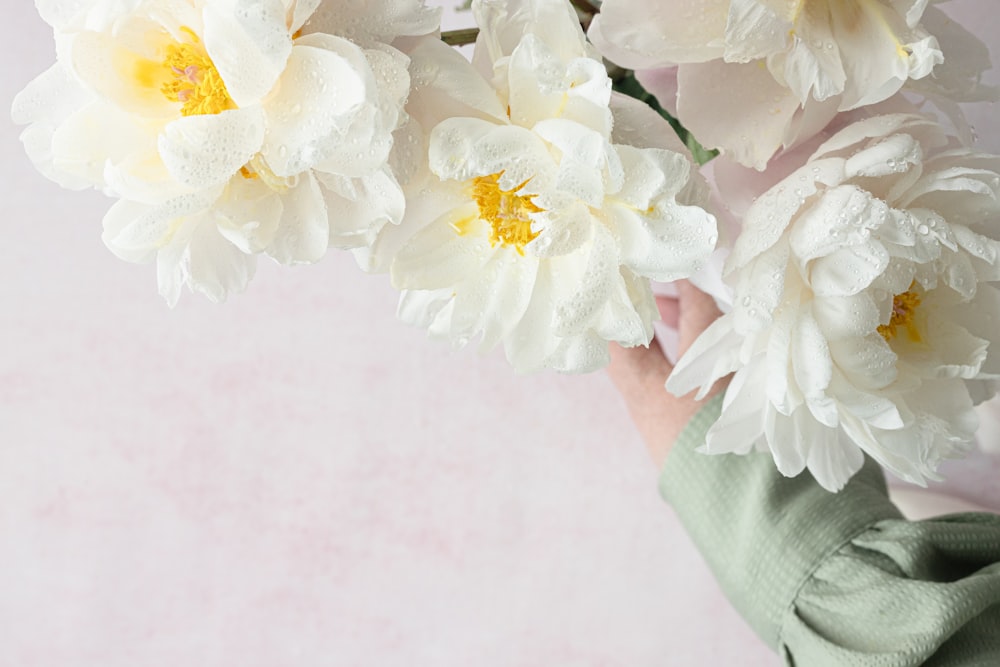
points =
(789, 65)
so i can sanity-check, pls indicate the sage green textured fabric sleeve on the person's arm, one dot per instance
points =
(838, 579)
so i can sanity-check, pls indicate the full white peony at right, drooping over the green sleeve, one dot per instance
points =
(863, 318)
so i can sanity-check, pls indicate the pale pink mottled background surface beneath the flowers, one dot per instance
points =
(295, 478)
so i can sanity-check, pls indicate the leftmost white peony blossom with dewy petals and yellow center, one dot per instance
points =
(166, 103)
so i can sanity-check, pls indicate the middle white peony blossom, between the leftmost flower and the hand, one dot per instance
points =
(540, 224)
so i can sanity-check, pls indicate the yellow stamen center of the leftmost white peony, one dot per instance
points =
(194, 81)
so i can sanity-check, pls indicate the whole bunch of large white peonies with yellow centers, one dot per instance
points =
(518, 200)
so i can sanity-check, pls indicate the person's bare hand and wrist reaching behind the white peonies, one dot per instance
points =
(639, 372)
